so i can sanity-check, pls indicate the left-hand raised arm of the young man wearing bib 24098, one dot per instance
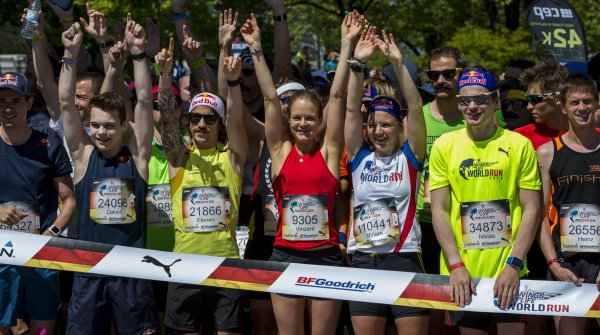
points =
(76, 138)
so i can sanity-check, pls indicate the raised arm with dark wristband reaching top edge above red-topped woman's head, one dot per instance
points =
(283, 49)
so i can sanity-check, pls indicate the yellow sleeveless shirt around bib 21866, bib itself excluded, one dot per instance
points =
(206, 168)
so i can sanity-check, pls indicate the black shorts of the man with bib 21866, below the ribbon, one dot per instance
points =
(189, 305)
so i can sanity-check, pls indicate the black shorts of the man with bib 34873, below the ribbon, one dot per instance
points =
(479, 320)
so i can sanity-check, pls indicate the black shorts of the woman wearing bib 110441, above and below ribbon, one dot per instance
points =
(409, 262)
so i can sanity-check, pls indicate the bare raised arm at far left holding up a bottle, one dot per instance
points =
(43, 69)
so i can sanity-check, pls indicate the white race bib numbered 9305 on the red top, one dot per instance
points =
(305, 218)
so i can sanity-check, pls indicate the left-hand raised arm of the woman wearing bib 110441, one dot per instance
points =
(353, 129)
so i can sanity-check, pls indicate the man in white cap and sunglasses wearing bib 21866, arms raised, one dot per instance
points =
(210, 168)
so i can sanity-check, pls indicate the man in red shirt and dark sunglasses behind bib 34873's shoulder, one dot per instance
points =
(543, 81)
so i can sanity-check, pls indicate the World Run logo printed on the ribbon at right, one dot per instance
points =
(536, 301)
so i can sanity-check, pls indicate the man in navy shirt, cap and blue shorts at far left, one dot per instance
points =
(32, 164)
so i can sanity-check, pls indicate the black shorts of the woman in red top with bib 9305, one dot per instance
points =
(328, 257)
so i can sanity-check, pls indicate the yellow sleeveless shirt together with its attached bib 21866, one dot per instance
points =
(205, 194)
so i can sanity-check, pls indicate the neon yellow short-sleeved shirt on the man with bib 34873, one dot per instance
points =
(483, 171)
